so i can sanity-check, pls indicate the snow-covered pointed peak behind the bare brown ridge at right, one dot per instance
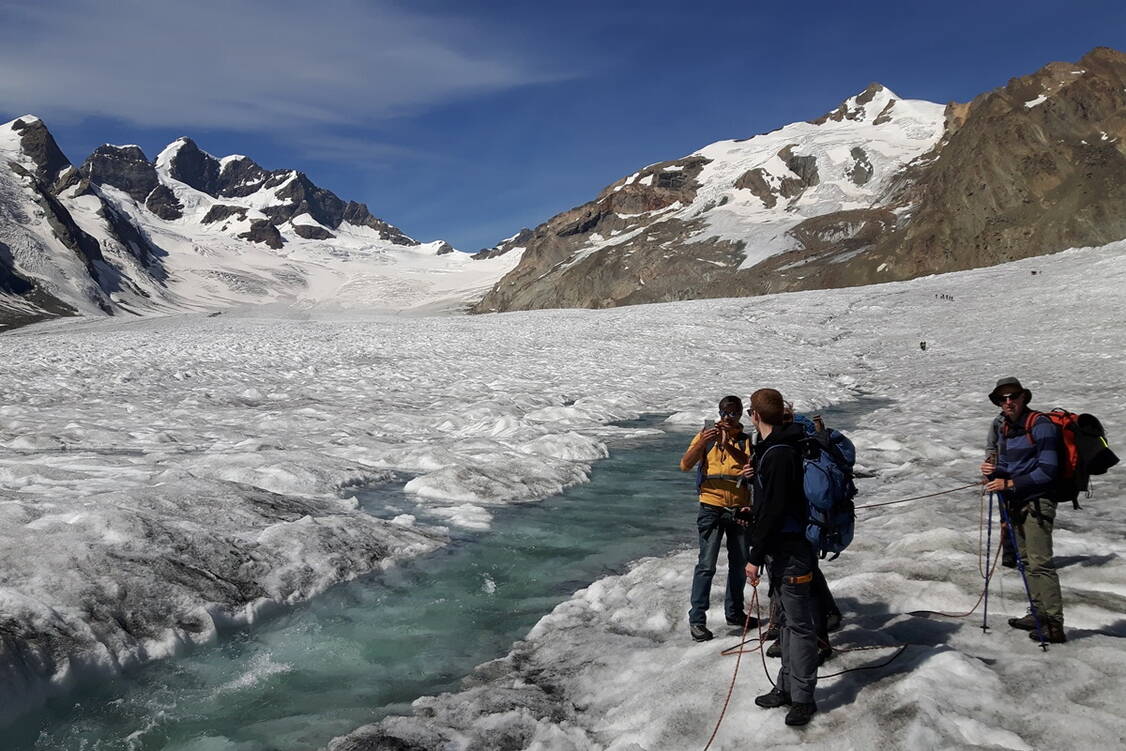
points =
(686, 228)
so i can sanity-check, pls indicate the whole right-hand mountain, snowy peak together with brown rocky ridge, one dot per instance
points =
(881, 189)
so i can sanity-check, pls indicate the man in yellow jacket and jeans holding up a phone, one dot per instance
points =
(719, 453)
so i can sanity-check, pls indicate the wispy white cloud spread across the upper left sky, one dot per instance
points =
(247, 66)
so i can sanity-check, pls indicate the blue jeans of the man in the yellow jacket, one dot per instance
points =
(716, 523)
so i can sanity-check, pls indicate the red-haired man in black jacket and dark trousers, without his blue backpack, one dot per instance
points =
(778, 541)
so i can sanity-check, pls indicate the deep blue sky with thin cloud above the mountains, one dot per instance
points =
(468, 121)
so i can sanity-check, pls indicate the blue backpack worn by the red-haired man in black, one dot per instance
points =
(827, 459)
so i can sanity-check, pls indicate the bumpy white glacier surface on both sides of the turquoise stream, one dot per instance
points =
(160, 477)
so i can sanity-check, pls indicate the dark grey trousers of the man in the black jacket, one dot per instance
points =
(792, 566)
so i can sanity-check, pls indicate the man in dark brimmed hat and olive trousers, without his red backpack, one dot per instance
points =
(1025, 476)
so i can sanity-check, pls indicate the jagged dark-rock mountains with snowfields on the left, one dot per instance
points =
(122, 234)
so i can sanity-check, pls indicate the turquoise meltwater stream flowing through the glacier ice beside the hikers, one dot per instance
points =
(369, 648)
